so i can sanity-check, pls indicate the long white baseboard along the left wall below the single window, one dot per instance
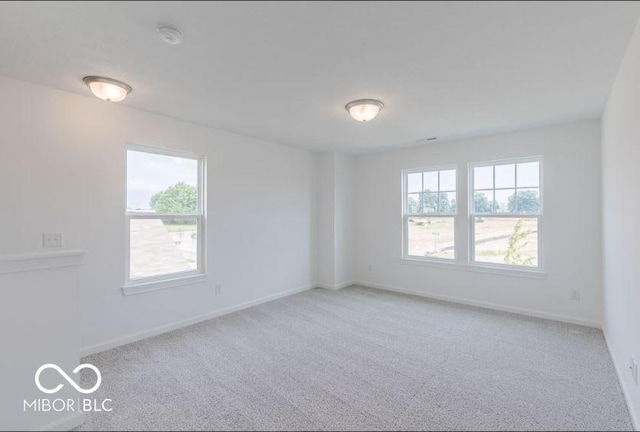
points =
(94, 349)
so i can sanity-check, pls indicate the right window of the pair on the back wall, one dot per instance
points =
(505, 213)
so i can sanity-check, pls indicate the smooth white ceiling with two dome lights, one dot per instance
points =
(283, 71)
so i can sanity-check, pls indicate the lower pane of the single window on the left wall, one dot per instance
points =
(162, 246)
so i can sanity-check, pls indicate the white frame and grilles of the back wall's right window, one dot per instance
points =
(472, 214)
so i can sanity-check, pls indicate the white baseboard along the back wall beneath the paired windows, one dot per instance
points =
(485, 305)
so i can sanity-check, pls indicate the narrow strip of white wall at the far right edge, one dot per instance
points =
(621, 204)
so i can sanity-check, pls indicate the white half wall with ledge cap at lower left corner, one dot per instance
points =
(38, 325)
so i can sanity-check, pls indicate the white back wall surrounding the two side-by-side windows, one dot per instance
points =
(570, 233)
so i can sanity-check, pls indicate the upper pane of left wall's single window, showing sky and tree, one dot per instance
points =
(164, 184)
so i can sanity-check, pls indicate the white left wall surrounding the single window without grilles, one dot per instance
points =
(62, 169)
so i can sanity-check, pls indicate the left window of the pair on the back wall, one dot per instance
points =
(429, 209)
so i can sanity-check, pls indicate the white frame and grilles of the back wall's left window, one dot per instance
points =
(406, 215)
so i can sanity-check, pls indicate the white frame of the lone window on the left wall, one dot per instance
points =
(152, 283)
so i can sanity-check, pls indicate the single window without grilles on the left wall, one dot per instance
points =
(164, 215)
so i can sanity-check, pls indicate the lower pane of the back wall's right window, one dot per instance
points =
(512, 241)
